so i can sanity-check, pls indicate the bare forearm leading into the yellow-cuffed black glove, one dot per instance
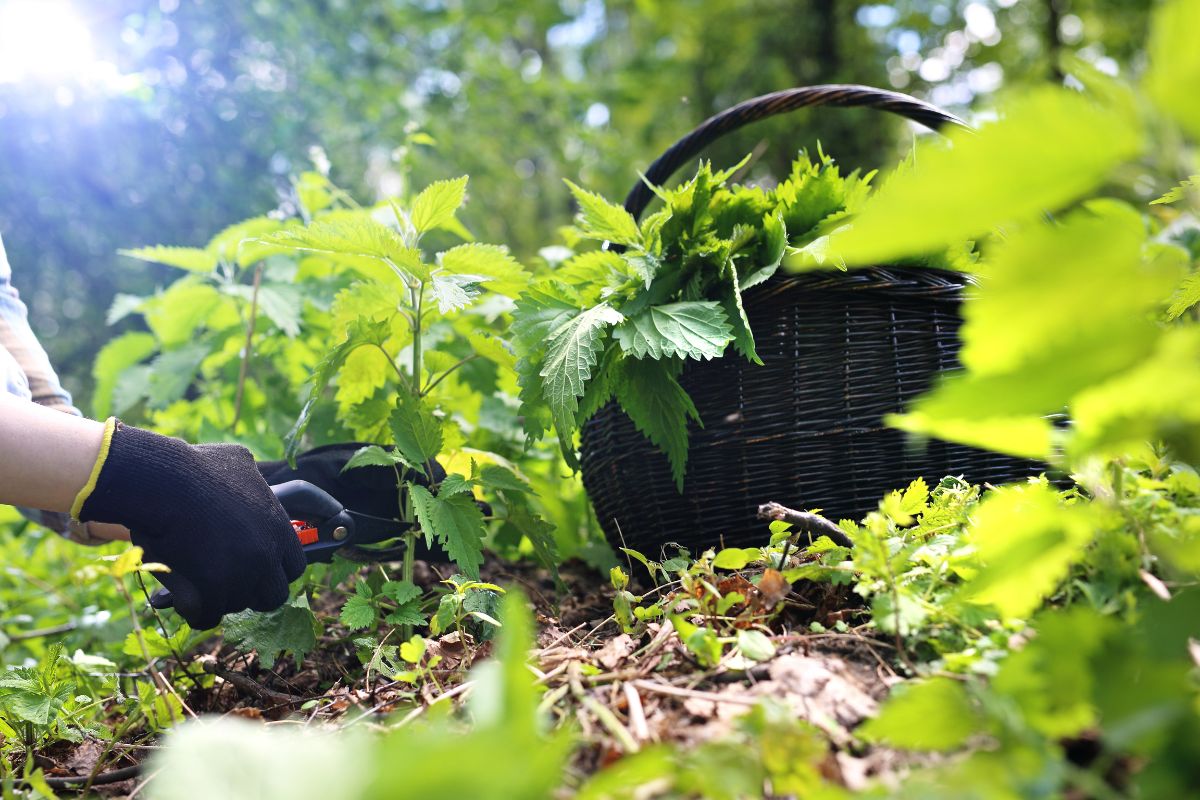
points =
(46, 456)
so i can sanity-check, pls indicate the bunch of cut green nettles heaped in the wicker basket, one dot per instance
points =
(620, 323)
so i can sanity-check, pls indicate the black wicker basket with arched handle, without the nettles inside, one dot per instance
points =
(841, 351)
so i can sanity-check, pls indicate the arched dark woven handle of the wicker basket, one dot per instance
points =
(758, 109)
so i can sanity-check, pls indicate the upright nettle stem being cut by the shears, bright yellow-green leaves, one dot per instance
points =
(407, 321)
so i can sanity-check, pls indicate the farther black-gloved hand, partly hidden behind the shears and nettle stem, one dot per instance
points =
(367, 490)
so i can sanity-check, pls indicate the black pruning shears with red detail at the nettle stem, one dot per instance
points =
(322, 525)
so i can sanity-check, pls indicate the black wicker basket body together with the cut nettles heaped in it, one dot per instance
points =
(705, 382)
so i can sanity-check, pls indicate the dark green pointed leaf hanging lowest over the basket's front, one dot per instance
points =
(659, 408)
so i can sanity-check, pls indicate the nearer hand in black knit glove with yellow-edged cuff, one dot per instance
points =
(202, 510)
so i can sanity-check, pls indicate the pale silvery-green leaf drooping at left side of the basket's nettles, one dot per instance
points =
(572, 353)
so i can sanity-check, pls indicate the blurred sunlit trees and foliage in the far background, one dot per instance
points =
(220, 103)
